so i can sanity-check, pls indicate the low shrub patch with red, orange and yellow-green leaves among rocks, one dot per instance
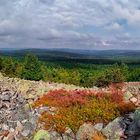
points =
(75, 107)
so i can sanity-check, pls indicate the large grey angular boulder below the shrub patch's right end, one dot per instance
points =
(115, 129)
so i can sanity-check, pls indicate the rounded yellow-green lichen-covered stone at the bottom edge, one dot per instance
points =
(42, 135)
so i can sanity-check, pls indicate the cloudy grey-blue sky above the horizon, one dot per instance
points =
(81, 24)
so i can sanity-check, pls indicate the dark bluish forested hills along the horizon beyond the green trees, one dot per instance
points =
(127, 56)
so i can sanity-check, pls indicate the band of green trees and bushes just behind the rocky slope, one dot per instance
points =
(31, 68)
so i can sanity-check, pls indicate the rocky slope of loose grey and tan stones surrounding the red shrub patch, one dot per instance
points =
(18, 121)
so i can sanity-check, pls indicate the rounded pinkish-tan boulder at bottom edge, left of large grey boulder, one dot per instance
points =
(86, 132)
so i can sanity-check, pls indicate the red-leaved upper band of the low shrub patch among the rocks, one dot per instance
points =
(74, 97)
